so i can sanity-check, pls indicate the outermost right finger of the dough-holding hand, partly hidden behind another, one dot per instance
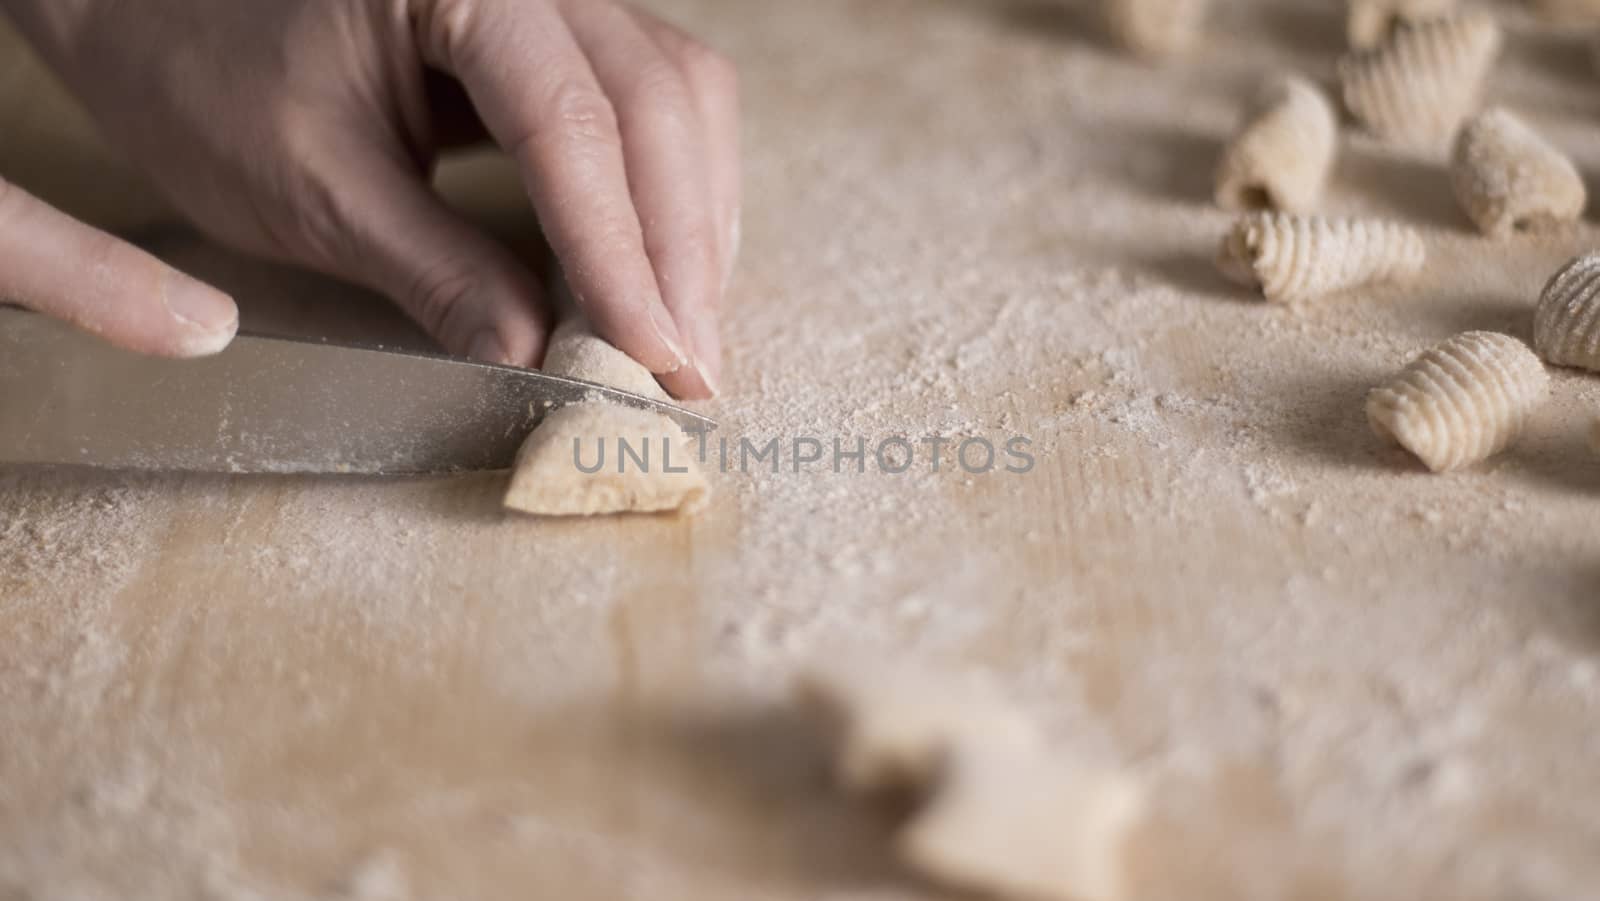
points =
(716, 87)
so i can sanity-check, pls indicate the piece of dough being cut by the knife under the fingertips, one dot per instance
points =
(660, 475)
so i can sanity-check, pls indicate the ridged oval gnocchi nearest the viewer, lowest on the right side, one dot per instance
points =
(1462, 402)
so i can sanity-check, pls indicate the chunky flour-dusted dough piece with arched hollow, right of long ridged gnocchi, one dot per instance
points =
(1508, 178)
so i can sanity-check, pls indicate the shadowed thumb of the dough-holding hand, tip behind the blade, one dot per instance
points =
(468, 290)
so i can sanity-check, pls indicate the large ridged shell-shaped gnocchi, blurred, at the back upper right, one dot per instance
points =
(1417, 89)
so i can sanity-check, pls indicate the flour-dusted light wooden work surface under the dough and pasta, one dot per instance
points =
(1342, 676)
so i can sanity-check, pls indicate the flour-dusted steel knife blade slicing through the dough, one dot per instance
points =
(271, 406)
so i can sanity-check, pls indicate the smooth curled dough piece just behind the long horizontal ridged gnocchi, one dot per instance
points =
(1281, 159)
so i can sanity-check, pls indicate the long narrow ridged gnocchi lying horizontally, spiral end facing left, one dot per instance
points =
(1298, 258)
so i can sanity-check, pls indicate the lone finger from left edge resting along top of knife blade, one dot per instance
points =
(60, 266)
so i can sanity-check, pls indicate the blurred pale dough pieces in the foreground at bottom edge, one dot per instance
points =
(996, 812)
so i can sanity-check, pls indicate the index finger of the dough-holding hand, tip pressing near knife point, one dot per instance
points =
(542, 102)
